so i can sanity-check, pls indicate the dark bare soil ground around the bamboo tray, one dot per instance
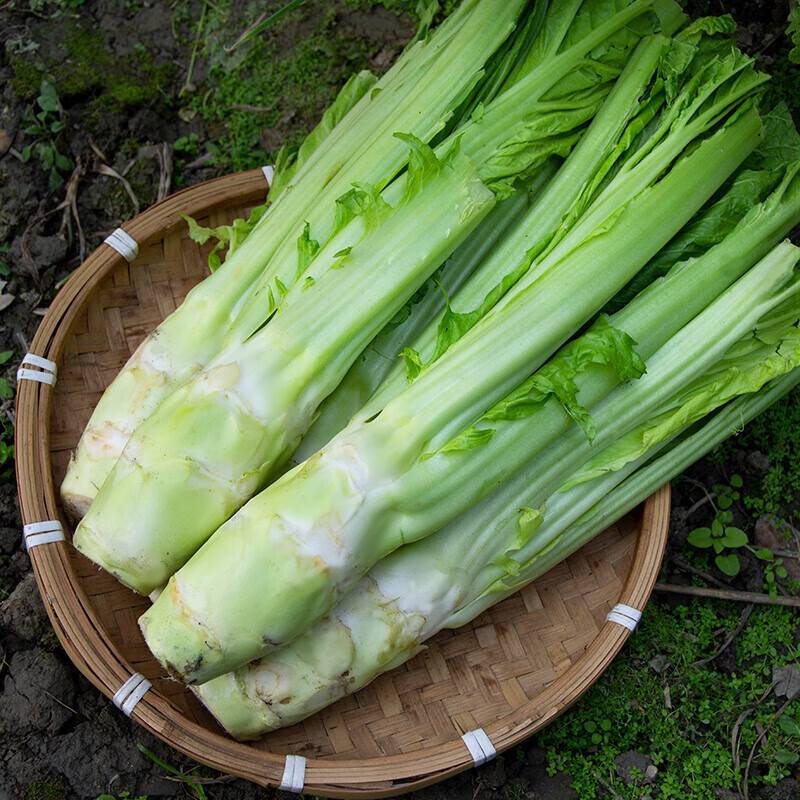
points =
(61, 737)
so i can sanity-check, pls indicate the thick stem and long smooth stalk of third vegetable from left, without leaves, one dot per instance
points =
(310, 536)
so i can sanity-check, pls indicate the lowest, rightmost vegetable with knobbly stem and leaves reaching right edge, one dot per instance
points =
(448, 578)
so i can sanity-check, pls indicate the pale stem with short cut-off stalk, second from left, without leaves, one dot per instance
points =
(214, 441)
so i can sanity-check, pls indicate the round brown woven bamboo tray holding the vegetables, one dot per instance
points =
(510, 672)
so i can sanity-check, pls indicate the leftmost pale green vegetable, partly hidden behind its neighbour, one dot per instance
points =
(354, 141)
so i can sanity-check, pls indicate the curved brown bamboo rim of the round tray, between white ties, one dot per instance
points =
(83, 636)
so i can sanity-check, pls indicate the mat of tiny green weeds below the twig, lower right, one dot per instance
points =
(655, 700)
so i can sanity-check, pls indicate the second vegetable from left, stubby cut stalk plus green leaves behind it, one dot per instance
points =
(219, 437)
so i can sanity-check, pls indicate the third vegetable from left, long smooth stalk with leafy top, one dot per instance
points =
(398, 476)
